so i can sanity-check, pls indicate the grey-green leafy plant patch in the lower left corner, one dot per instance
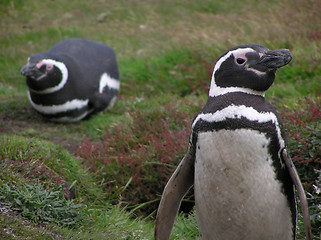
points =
(40, 205)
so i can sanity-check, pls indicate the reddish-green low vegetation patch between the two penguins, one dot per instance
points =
(147, 150)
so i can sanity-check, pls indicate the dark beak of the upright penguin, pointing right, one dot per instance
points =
(276, 59)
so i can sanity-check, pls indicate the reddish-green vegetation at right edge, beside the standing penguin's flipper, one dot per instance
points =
(304, 133)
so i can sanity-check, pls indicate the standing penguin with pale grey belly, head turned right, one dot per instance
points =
(237, 157)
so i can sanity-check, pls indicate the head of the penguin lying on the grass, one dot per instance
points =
(44, 74)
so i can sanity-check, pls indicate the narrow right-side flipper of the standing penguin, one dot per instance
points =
(298, 185)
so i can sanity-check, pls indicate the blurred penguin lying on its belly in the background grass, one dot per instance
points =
(75, 79)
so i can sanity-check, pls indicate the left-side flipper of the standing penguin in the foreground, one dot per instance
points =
(176, 188)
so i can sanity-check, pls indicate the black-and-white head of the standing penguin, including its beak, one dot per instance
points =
(247, 68)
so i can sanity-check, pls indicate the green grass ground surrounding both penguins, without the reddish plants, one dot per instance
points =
(166, 51)
